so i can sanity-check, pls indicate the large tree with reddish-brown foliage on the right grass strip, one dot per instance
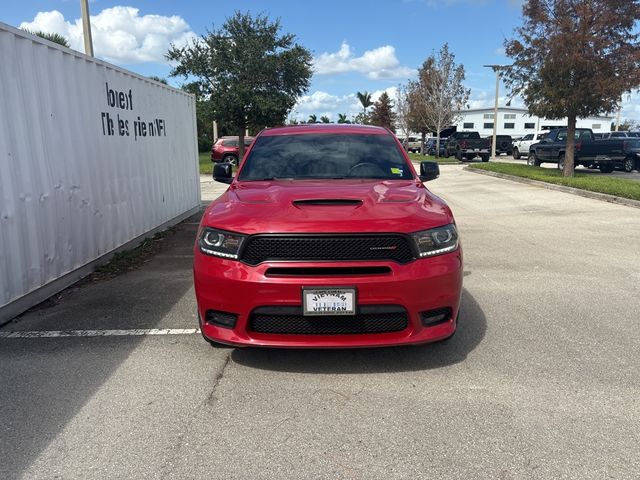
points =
(574, 58)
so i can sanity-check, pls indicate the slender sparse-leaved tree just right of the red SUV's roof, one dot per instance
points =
(439, 94)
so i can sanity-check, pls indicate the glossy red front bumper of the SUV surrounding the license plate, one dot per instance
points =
(233, 287)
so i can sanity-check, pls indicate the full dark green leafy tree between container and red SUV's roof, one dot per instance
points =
(252, 72)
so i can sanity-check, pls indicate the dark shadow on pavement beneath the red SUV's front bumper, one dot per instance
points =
(471, 330)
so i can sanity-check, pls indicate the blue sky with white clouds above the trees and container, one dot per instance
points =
(357, 45)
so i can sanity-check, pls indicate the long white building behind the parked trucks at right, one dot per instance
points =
(517, 122)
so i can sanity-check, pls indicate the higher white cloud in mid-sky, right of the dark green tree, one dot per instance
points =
(379, 63)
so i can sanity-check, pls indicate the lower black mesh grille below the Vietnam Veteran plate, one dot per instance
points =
(294, 323)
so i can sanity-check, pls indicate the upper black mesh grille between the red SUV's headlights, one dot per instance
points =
(323, 247)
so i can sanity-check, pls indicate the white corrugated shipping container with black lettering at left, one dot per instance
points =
(92, 158)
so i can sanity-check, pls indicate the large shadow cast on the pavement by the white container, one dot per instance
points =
(46, 382)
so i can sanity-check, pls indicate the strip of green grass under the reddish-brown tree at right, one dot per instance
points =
(593, 182)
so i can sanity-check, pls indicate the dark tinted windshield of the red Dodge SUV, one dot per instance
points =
(305, 156)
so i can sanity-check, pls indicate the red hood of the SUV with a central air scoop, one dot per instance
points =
(321, 206)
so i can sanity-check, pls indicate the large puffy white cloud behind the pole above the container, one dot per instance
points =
(120, 34)
